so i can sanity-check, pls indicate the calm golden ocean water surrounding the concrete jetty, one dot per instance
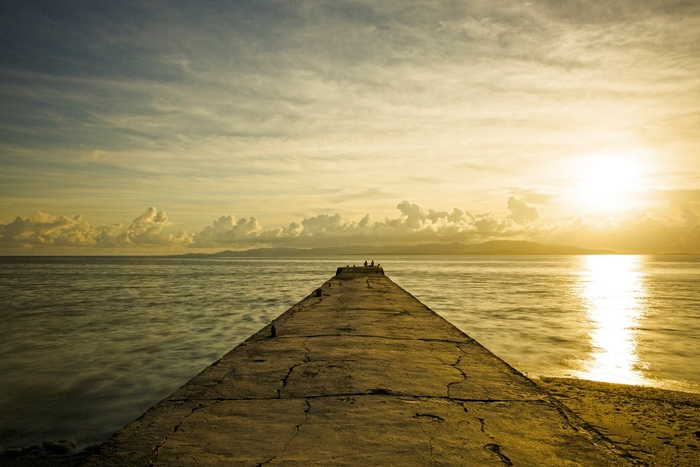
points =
(88, 344)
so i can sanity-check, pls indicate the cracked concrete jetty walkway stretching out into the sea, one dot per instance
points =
(359, 373)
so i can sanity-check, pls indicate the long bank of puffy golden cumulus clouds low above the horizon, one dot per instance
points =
(647, 233)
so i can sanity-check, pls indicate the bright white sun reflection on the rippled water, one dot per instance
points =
(613, 291)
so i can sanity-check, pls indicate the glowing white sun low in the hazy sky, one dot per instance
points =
(608, 182)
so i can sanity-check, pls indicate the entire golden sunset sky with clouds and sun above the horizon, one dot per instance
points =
(170, 127)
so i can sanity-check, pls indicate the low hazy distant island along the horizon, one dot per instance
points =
(497, 247)
